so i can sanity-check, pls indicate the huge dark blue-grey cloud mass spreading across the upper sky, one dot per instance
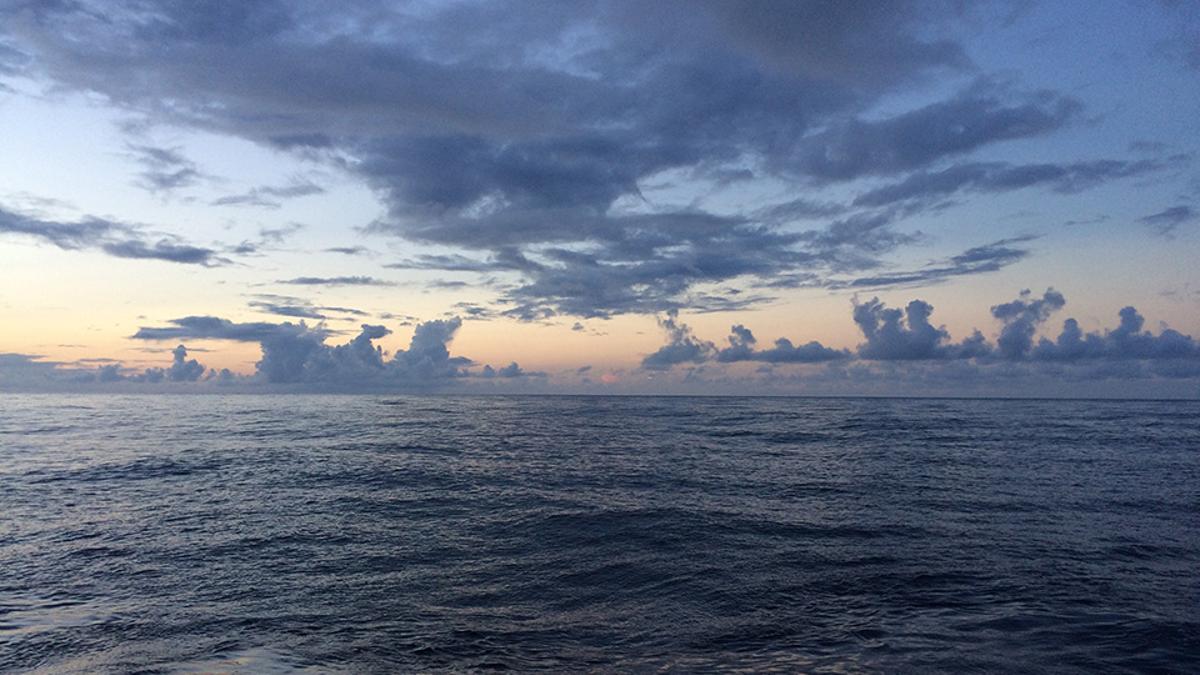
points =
(523, 133)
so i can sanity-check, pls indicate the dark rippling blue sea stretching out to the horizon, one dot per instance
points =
(394, 534)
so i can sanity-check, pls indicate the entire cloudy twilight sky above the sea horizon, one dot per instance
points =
(694, 198)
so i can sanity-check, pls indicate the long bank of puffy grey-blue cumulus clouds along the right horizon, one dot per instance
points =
(905, 351)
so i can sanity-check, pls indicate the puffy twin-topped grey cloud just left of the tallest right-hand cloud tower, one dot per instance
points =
(895, 334)
